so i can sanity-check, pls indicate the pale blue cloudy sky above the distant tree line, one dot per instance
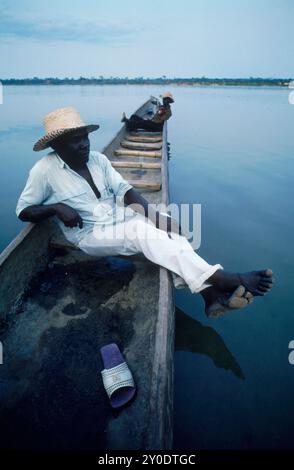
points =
(184, 38)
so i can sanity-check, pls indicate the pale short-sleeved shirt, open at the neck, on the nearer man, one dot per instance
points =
(51, 181)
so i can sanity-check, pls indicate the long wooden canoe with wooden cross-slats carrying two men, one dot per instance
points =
(59, 306)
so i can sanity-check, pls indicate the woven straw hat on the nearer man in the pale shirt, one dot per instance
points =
(59, 122)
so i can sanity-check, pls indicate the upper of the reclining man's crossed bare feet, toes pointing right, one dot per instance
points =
(256, 282)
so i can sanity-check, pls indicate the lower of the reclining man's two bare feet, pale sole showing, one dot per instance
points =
(218, 302)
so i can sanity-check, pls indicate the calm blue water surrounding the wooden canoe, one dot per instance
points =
(232, 151)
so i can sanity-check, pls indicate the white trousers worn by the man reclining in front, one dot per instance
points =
(139, 235)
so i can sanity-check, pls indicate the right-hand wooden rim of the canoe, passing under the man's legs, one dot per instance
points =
(160, 429)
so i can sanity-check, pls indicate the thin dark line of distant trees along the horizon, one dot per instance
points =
(251, 81)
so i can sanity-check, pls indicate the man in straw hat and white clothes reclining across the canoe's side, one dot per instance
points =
(88, 197)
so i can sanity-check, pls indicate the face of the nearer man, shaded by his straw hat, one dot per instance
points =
(73, 148)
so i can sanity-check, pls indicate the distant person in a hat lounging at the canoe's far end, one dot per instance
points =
(155, 124)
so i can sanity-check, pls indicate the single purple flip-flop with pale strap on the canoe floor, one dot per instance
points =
(117, 377)
